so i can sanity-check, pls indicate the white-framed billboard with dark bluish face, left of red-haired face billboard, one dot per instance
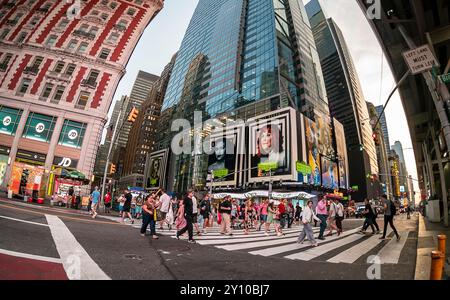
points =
(225, 153)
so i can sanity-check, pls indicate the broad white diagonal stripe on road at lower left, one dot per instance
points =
(71, 251)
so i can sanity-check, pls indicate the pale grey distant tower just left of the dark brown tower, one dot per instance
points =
(139, 93)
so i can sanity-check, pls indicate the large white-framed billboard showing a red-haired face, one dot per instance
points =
(272, 146)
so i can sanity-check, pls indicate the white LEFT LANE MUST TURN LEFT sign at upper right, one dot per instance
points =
(420, 60)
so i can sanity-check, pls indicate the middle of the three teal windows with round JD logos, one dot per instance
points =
(39, 127)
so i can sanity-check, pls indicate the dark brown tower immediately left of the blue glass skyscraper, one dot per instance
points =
(142, 136)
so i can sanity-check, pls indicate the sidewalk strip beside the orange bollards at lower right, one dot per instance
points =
(427, 242)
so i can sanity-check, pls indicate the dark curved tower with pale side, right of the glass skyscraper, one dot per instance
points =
(346, 99)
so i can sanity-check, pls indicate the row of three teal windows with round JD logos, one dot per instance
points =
(40, 127)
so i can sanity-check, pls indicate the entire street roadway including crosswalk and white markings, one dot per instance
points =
(48, 243)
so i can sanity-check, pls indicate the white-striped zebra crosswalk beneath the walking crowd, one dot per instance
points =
(348, 248)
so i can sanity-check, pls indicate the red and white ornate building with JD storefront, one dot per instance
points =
(60, 64)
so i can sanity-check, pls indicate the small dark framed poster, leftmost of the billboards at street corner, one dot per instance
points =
(157, 163)
